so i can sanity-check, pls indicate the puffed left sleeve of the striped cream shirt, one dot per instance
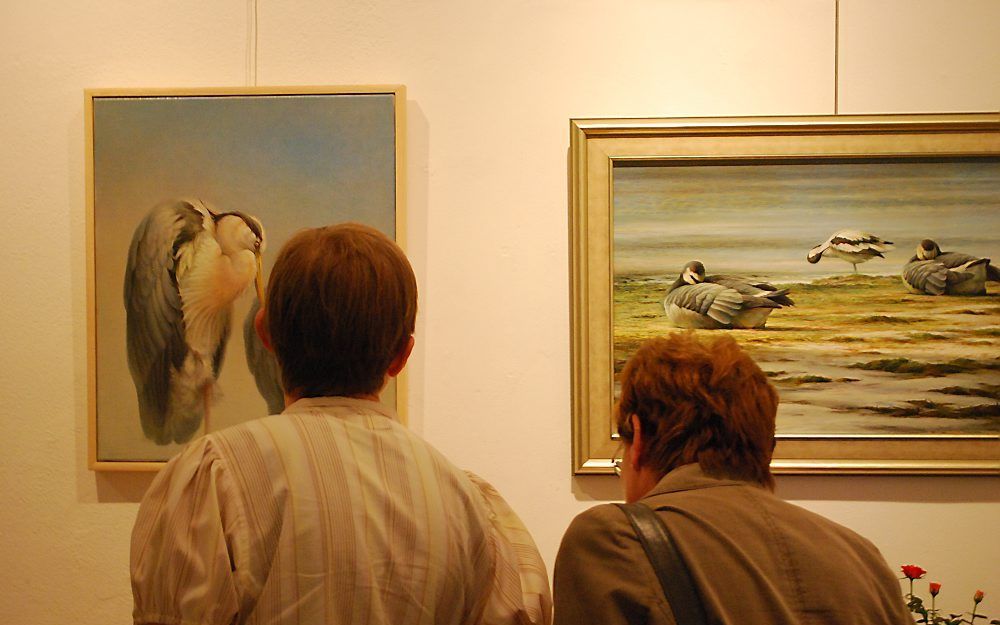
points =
(181, 553)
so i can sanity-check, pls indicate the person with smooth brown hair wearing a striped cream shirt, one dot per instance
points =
(332, 511)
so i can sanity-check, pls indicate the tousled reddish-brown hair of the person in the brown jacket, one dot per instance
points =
(700, 401)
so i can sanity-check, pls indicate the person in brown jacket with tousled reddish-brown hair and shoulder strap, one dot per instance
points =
(697, 420)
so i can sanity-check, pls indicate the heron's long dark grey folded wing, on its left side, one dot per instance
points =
(154, 319)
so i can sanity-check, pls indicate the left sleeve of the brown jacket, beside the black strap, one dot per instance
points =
(602, 575)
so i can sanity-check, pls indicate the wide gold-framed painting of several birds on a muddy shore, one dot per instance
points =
(854, 257)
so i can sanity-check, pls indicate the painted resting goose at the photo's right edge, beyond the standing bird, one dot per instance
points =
(933, 272)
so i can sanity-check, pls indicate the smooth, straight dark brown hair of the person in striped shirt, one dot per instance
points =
(341, 304)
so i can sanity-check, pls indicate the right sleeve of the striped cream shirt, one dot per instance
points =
(520, 592)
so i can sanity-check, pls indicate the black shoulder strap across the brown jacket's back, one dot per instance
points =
(670, 569)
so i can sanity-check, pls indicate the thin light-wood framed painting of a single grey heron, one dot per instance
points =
(190, 194)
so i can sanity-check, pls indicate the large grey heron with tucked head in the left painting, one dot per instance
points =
(186, 266)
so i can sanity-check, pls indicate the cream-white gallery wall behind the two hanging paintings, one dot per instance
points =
(491, 89)
